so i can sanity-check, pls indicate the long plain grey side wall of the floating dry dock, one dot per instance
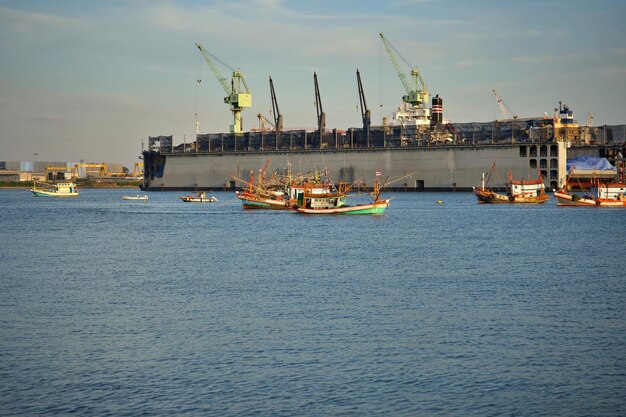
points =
(436, 168)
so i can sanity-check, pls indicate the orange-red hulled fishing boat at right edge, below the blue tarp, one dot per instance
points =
(603, 195)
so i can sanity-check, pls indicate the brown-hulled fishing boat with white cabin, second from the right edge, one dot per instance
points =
(518, 191)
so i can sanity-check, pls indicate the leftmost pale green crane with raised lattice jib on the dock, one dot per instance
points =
(238, 93)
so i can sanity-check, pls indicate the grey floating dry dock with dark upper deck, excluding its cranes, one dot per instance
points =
(525, 148)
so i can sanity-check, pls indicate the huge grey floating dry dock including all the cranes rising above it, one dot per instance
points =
(417, 143)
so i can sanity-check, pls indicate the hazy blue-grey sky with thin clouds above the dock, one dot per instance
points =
(92, 80)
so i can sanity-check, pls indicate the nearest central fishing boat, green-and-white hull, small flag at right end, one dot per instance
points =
(335, 203)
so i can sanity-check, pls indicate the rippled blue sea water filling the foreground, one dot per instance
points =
(112, 307)
